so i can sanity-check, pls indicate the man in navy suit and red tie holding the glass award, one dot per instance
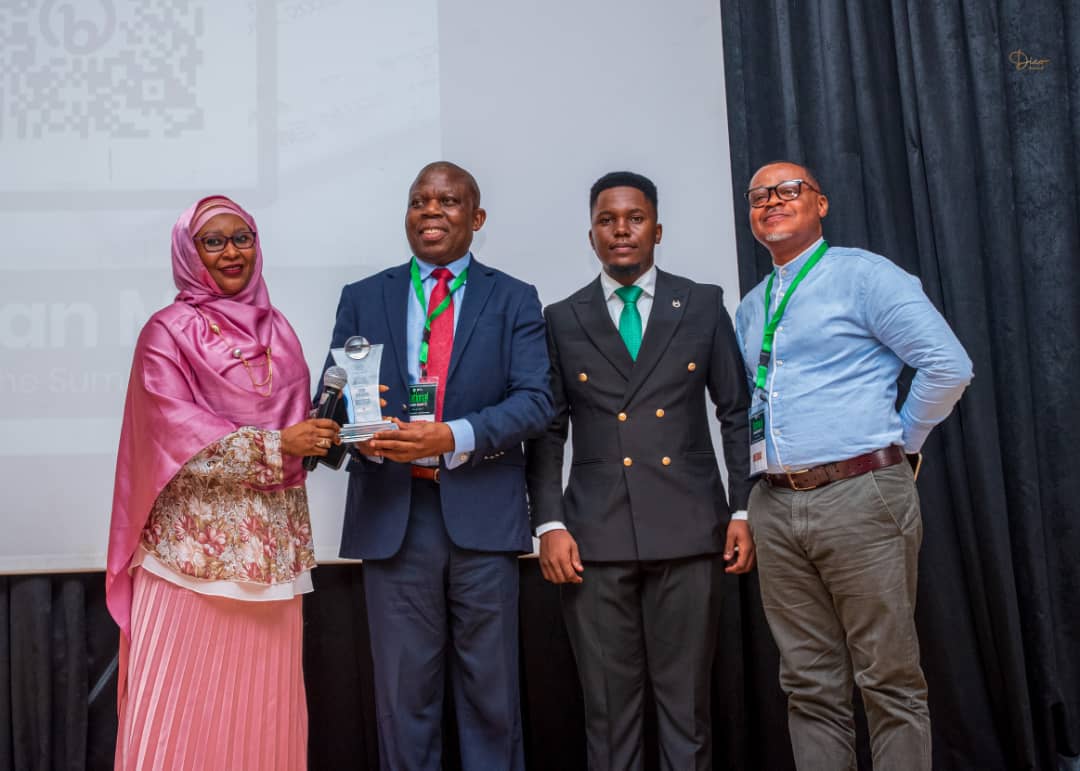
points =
(438, 509)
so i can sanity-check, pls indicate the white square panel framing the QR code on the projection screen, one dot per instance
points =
(127, 104)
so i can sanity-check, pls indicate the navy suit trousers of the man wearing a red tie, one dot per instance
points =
(434, 606)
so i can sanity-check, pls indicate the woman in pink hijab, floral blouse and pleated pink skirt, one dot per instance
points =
(210, 546)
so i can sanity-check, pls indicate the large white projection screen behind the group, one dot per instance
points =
(315, 115)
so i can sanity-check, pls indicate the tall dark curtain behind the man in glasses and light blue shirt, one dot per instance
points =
(946, 133)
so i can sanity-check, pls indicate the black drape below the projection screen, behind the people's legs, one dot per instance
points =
(58, 679)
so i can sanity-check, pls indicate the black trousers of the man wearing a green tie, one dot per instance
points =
(636, 626)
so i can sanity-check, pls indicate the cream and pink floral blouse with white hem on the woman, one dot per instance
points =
(220, 522)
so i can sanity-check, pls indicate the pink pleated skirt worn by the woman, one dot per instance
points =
(211, 683)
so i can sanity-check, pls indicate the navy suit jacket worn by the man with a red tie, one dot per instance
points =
(497, 381)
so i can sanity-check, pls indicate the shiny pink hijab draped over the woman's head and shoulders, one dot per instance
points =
(187, 390)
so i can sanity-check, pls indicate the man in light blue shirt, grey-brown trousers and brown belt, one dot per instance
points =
(836, 513)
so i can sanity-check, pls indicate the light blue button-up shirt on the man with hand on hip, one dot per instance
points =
(853, 324)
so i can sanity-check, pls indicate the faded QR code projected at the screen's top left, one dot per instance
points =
(100, 69)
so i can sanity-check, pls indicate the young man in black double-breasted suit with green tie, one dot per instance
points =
(641, 537)
